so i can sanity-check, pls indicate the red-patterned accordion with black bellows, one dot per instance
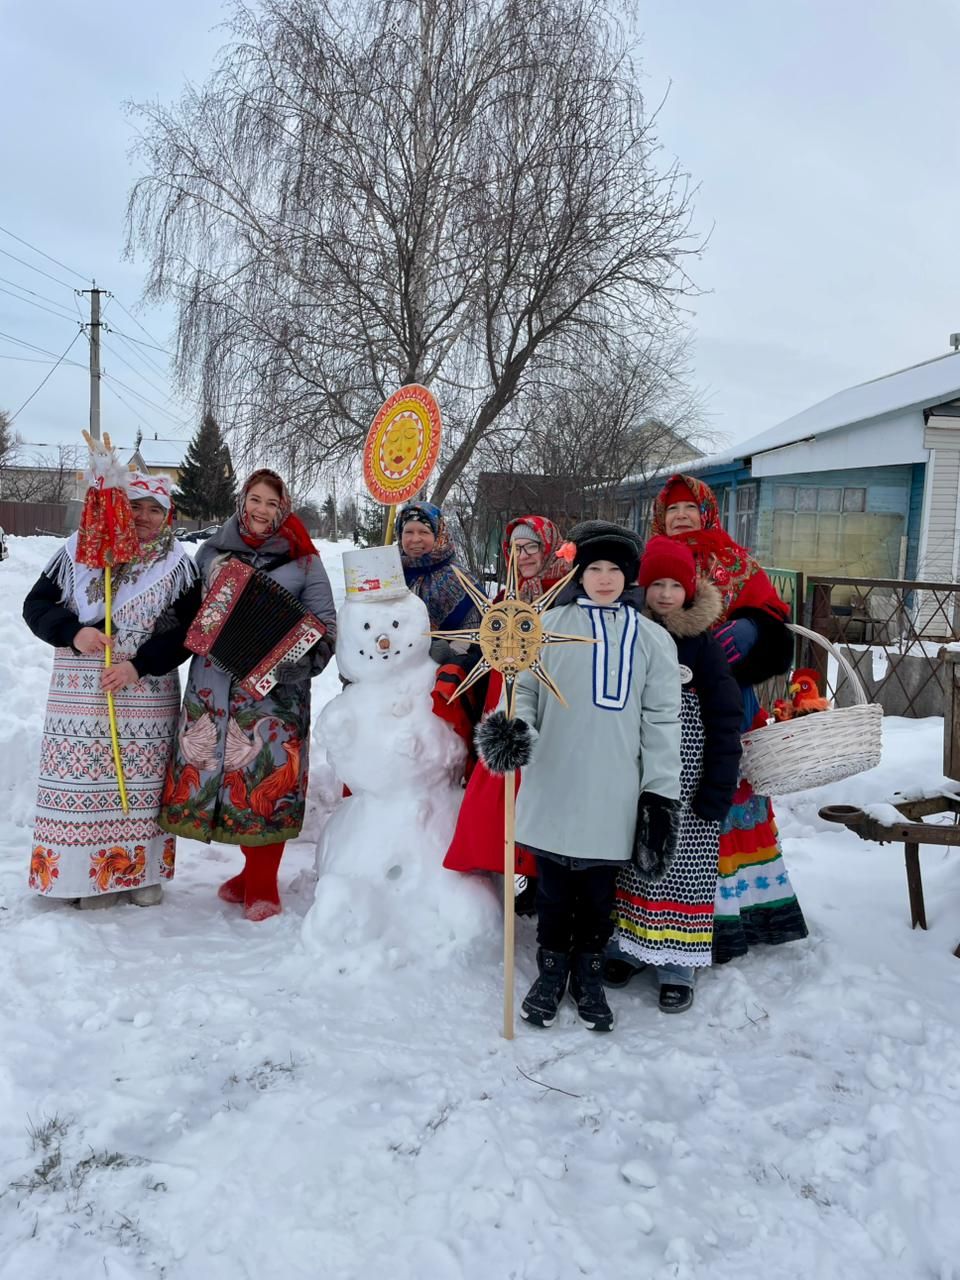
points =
(249, 625)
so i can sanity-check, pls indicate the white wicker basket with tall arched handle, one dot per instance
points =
(812, 751)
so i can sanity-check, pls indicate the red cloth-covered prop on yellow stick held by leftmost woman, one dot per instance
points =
(106, 538)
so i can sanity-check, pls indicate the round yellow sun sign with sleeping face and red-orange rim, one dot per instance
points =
(401, 449)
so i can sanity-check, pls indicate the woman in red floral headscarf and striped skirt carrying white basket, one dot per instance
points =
(756, 902)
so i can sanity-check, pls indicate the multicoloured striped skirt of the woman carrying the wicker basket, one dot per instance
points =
(756, 902)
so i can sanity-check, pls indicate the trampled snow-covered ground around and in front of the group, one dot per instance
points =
(186, 1095)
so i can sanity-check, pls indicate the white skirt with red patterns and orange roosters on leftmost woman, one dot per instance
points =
(84, 844)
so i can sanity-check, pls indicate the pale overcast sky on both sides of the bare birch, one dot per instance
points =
(821, 134)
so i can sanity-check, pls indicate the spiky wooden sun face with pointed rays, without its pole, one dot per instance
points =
(511, 634)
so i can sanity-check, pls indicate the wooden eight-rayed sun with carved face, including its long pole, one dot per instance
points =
(511, 637)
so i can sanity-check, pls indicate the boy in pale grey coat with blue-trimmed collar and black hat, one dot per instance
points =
(592, 769)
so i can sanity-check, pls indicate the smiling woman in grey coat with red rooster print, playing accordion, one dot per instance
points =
(240, 769)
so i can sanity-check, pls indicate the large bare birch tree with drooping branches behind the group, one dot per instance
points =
(460, 193)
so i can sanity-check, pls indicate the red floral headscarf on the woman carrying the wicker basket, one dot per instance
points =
(742, 582)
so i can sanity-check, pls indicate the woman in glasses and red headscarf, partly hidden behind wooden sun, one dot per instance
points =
(478, 842)
